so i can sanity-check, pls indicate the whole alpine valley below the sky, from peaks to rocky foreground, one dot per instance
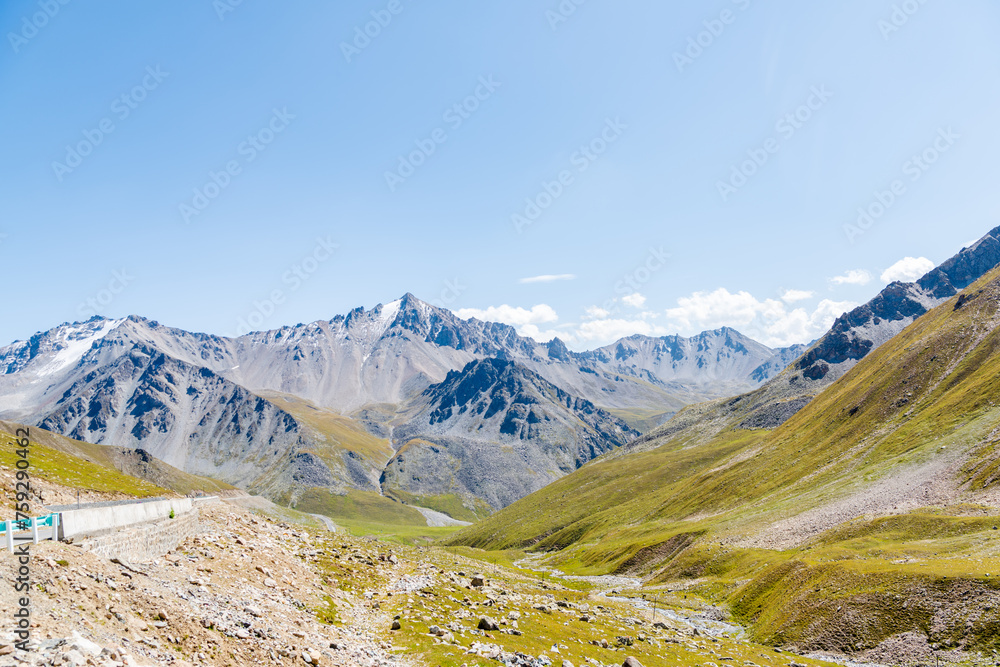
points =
(682, 501)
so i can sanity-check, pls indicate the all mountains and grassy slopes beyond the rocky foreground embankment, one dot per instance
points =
(839, 496)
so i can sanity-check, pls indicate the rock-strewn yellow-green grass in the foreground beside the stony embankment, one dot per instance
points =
(445, 601)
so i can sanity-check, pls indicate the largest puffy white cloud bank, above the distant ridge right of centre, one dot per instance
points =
(768, 321)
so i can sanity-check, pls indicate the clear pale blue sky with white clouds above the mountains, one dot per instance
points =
(219, 166)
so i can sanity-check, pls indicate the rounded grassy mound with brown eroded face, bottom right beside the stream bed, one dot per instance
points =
(895, 575)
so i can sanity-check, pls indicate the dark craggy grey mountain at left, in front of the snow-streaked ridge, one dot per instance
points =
(195, 420)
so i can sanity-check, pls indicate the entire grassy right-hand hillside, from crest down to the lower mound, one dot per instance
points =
(780, 521)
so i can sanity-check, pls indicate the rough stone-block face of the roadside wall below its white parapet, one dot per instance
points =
(145, 542)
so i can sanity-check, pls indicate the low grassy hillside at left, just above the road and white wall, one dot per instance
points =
(123, 461)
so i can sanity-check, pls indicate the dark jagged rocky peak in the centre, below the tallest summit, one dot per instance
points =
(496, 431)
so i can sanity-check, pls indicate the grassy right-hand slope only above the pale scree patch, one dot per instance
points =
(932, 381)
